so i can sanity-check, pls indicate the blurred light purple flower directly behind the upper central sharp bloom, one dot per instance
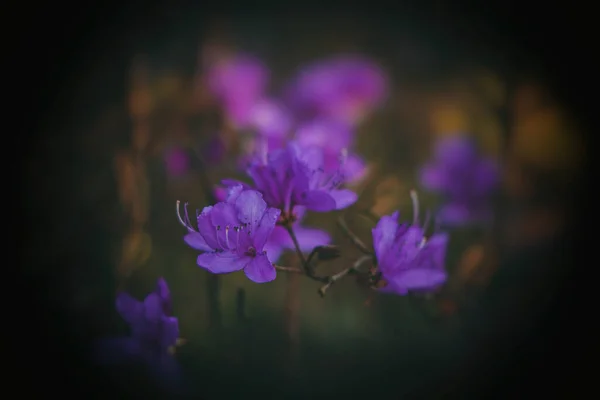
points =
(334, 137)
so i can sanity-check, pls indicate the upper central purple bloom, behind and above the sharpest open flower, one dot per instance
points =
(294, 176)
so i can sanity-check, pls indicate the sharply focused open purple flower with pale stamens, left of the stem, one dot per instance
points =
(232, 235)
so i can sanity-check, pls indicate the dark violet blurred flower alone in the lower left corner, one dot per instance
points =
(154, 333)
